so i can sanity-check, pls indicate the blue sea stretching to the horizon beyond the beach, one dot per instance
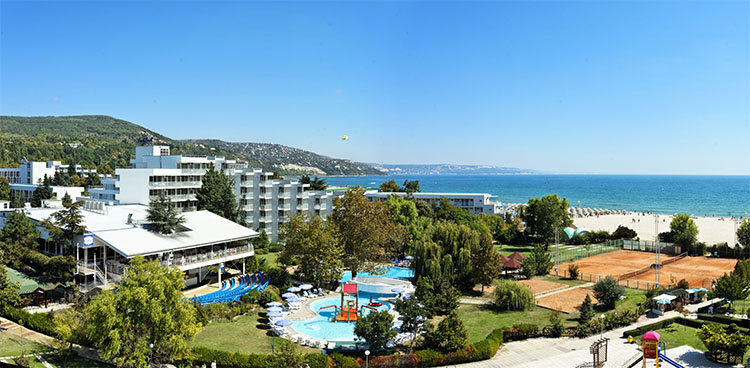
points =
(664, 194)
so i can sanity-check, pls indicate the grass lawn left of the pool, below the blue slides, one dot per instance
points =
(248, 334)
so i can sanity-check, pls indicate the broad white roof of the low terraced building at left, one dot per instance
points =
(202, 228)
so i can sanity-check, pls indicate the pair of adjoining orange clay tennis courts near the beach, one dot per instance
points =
(698, 271)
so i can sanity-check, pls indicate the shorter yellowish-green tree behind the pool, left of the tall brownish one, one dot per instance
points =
(312, 244)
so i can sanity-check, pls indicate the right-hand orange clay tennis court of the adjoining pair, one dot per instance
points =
(698, 271)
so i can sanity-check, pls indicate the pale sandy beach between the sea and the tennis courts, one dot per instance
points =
(711, 230)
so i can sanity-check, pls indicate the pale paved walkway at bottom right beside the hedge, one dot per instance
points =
(564, 352)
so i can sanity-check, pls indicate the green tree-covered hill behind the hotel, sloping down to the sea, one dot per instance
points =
(105, 143)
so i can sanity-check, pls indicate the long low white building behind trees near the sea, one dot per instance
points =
(475, 203)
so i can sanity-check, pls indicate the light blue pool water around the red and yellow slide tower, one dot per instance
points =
(321, 326)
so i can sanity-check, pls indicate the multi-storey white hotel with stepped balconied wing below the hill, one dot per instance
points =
(266, 202)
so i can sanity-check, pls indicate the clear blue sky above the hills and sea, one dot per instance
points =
(584, 87)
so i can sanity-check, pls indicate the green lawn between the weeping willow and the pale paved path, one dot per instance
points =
(481, 320)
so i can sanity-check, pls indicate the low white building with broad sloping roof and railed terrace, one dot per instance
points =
(117, 233)
